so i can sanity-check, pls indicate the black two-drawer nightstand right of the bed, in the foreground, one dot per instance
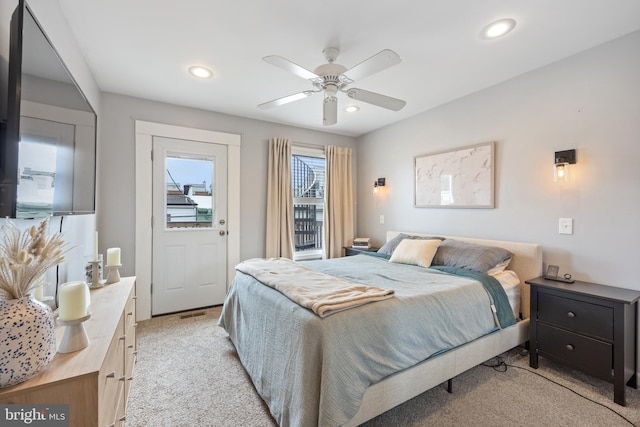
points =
(588, 327)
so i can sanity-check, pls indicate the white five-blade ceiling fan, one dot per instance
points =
(331, 78)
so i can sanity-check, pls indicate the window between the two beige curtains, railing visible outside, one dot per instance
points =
(308, 180)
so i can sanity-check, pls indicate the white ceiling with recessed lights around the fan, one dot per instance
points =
(143, 48)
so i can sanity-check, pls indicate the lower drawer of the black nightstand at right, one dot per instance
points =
(589, 355)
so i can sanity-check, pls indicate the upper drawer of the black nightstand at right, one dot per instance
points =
(591, 319)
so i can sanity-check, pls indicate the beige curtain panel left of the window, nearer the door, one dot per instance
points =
(279, 200)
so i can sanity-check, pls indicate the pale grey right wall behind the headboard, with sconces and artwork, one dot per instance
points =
(590, 102)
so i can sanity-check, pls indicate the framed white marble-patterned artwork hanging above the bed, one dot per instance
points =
(459, 178)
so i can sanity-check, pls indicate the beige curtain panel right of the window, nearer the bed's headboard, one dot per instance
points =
(338, 213)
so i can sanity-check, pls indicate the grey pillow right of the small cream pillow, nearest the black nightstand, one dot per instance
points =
(455, 253)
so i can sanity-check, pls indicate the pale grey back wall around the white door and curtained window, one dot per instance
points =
(116, 177)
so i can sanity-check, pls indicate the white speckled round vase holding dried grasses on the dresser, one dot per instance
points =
(27, 339)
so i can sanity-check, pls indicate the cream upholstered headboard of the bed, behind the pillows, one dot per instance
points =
(526, 261)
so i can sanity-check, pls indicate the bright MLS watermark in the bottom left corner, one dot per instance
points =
(34, 415)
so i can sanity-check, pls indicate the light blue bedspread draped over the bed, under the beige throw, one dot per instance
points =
(314, 371)
